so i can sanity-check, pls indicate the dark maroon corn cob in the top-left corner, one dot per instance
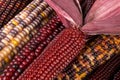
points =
(9, 8)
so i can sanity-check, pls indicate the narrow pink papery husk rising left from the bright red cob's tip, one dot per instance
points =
(69, 11)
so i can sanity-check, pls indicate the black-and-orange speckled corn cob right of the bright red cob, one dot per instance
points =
(93, 55)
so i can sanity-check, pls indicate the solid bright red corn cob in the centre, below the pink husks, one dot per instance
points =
(59, 53)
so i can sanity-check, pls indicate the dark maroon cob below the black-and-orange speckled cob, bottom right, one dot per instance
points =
(107, 70)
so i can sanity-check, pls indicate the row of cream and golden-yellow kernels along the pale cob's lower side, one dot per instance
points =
(15, 42)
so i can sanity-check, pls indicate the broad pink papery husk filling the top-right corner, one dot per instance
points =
(103, 18)
